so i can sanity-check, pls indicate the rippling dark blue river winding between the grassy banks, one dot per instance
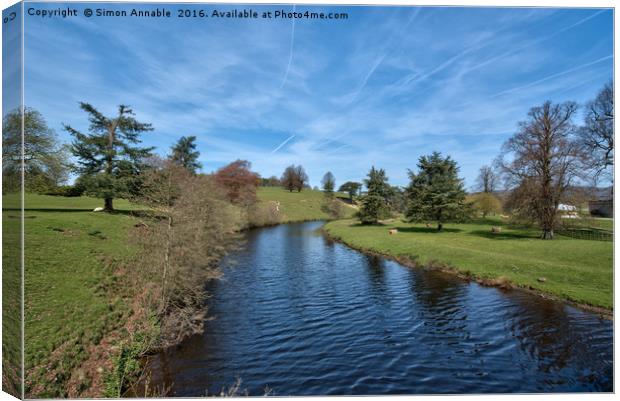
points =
(299, 314)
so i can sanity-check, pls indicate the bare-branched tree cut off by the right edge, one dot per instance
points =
(597, 135)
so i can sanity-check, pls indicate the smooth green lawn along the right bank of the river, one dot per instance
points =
(578, 270)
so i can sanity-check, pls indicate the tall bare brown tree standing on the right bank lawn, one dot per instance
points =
(543, 160)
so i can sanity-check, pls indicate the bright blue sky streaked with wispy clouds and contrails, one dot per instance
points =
(381, 88)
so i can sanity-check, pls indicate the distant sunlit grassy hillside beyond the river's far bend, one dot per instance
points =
(298, 206)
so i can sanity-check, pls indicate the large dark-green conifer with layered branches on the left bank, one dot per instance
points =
(108, 157)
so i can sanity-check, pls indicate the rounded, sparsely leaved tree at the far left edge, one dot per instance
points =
(45, 160)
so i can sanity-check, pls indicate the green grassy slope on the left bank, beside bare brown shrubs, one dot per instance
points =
(70, 253)
